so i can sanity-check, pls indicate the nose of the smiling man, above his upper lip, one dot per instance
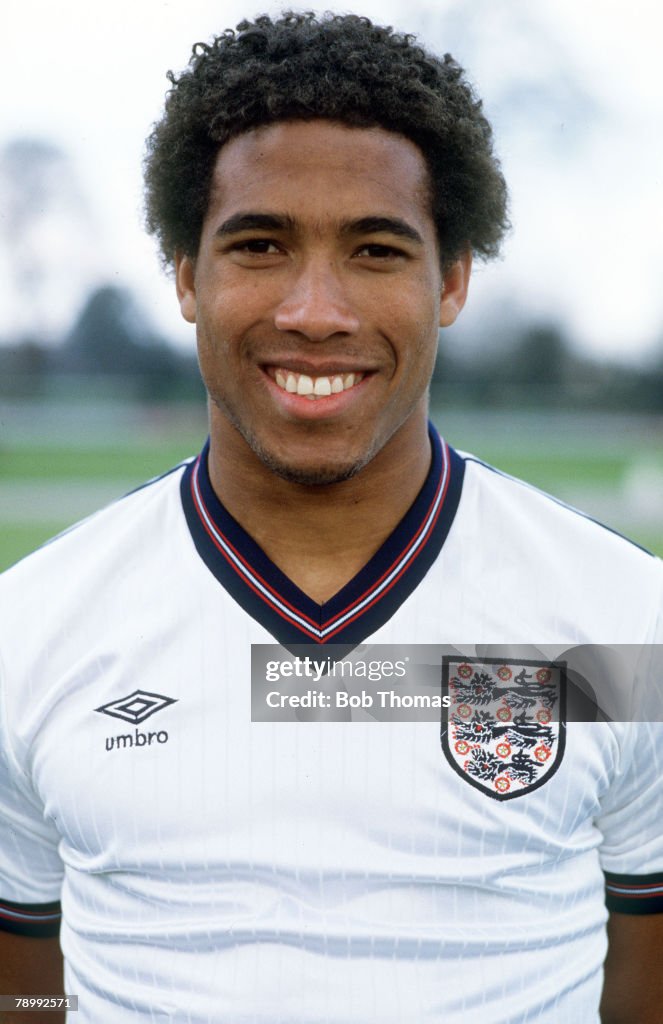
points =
(317, 305)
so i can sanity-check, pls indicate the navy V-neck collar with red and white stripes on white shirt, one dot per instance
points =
(367, 602)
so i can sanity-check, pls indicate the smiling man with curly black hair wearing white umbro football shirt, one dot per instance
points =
(320, 186)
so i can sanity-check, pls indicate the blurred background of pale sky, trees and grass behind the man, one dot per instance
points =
(555, 371)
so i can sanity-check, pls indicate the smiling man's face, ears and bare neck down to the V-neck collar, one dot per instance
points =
(318, 292)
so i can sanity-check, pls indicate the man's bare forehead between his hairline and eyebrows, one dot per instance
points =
(322, 167)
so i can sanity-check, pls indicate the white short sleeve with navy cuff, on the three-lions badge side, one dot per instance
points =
(632, 824)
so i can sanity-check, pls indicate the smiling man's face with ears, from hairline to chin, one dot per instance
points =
(317, 294)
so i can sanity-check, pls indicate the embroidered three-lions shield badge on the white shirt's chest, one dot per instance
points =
(506, 728)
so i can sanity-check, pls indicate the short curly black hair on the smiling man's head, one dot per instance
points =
(340, 68)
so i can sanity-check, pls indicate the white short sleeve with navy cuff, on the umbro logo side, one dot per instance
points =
(31, 871)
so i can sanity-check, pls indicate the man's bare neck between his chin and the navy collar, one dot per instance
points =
(320, 536)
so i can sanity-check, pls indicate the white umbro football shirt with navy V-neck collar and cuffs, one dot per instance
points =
(216, 870)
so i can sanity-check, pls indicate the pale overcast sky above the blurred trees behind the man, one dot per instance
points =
(574, 90)
